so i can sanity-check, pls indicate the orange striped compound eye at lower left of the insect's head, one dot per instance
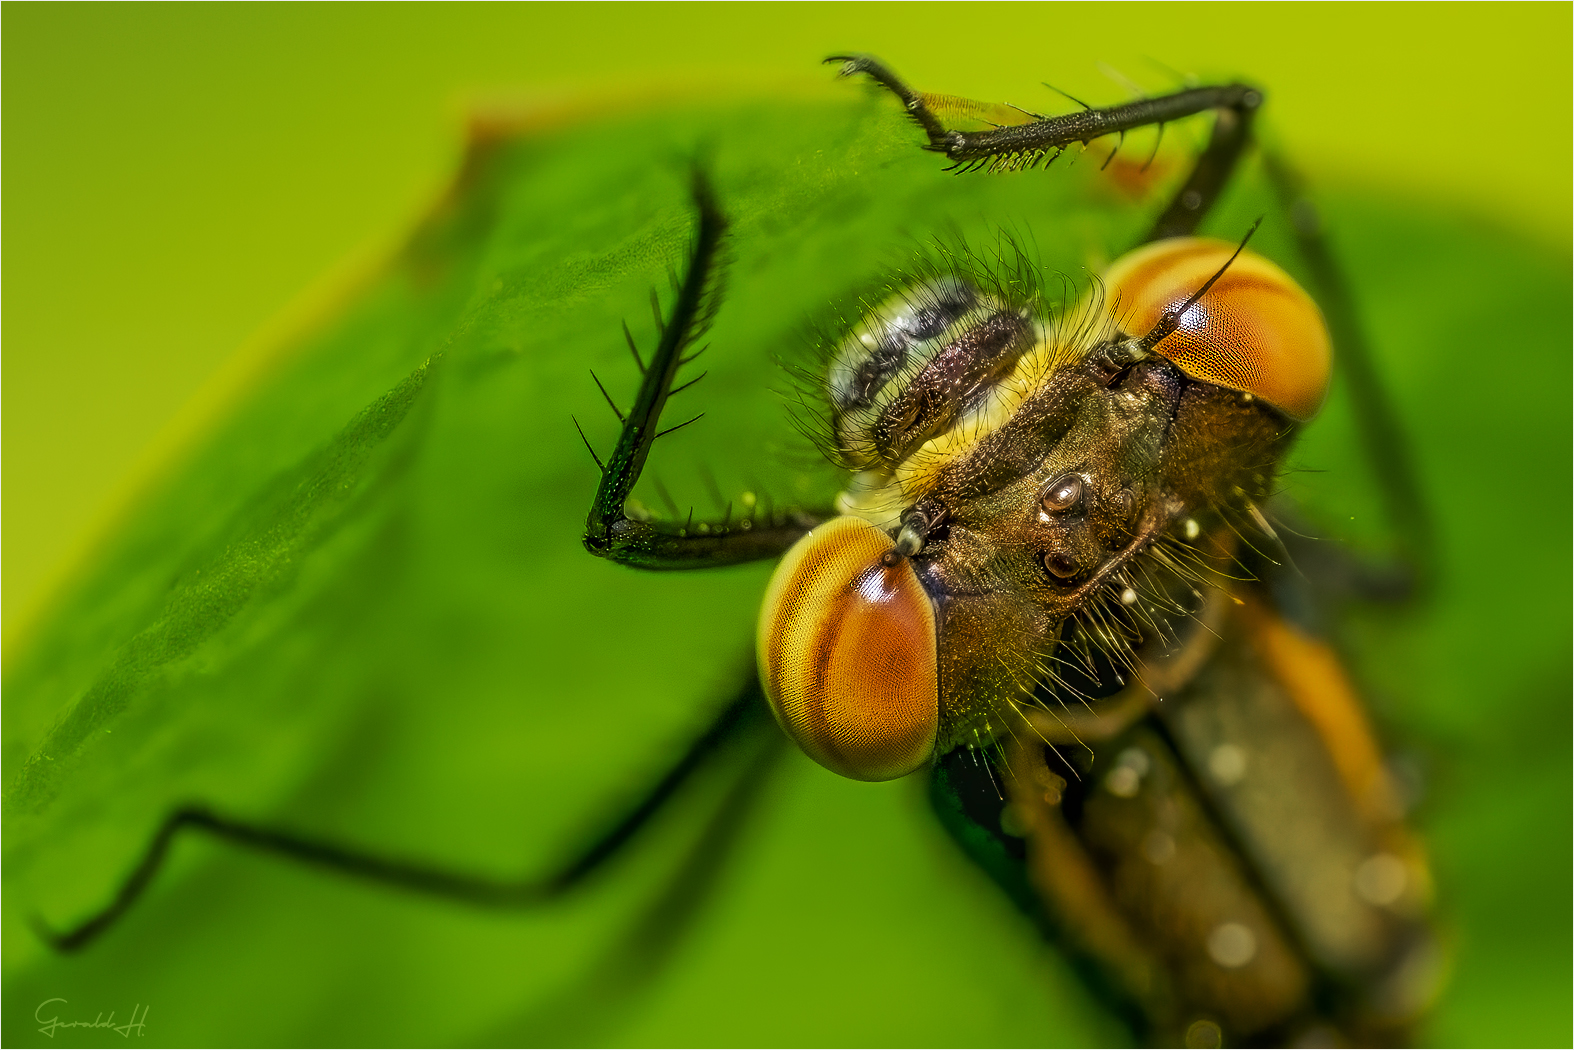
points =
(849, 656)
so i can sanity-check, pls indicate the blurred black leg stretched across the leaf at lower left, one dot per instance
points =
(744, 715)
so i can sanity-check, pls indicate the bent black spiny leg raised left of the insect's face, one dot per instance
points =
(610, 531)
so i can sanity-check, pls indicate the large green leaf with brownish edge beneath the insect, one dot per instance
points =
(363, 612)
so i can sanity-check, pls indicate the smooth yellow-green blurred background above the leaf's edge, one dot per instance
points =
(179, 176)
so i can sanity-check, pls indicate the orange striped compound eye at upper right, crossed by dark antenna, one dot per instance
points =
(1255, 330)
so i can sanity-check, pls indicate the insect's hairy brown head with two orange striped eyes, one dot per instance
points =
(1018, 471)
